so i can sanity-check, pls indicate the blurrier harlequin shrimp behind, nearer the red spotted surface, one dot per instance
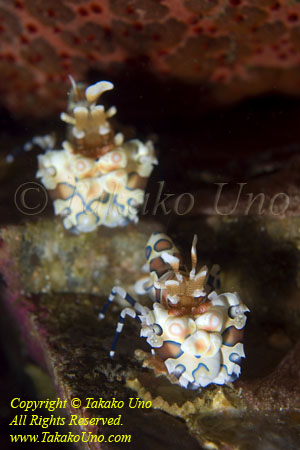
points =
(96, 178)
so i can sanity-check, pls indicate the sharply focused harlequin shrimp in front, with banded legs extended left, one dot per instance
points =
(196, 332)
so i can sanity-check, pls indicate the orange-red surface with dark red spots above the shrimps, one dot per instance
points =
(243, 45)
